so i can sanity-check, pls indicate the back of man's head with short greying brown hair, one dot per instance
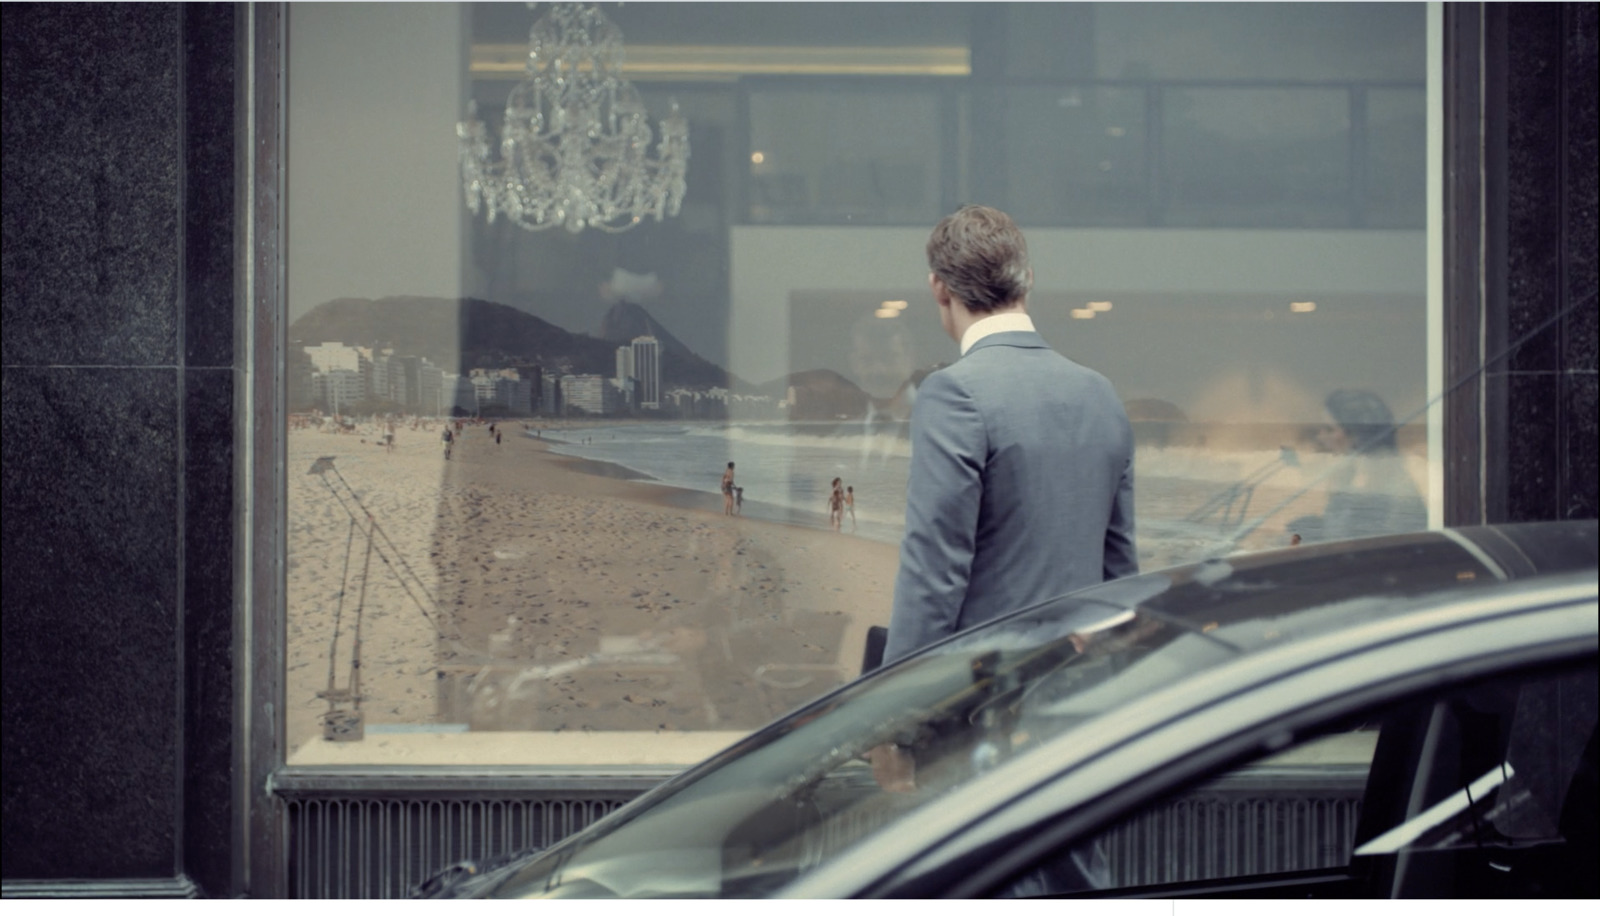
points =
(982, 257)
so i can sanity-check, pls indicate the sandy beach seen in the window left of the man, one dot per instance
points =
(548, 606)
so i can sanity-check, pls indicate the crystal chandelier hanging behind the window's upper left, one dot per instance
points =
(575, 148)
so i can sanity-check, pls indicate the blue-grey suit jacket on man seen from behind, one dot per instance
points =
(1022, 489)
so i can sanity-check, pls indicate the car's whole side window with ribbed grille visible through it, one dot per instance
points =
(1482, 792)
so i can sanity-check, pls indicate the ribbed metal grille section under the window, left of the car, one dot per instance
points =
(377, 848)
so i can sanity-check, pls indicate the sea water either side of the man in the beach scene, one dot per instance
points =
(1190, 502)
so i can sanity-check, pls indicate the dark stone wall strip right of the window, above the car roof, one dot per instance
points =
(1543, 150)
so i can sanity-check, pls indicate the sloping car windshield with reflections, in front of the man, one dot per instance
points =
(804, 790)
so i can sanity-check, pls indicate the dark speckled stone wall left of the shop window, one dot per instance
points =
(118, 443)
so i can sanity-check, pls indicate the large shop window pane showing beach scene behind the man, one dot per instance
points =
(1225, 212)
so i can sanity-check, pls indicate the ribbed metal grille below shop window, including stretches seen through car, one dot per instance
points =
(375, 845)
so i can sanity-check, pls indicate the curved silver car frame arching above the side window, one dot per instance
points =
(998, 827)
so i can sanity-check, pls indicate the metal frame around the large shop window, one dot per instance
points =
(1471, 262)
